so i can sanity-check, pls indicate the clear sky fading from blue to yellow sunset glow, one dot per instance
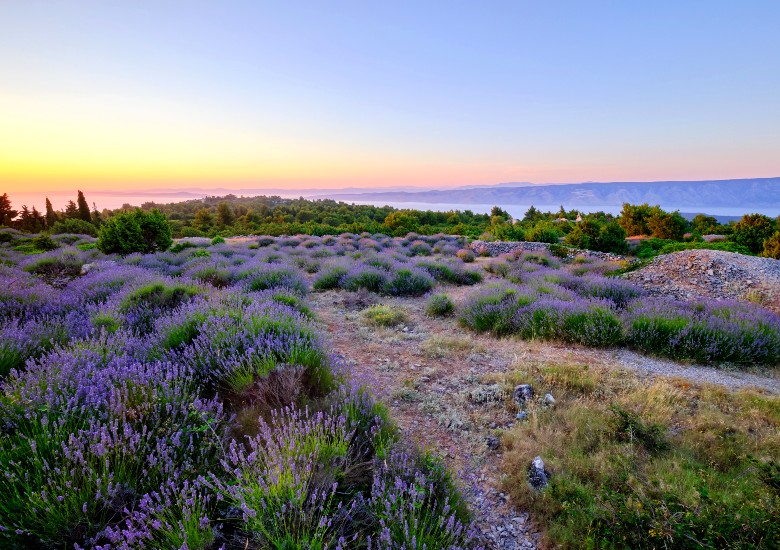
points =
(165, 94)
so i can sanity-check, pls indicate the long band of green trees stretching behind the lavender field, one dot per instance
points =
(273, 215)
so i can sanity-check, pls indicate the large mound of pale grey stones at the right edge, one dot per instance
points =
(714, 274)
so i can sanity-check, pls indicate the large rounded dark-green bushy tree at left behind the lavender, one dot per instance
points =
(135, 231)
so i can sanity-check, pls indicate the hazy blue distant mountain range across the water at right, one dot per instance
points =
(739, 193)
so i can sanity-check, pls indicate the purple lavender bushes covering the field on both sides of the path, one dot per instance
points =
(189, 398)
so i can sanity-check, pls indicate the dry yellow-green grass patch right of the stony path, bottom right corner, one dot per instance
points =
(637, 464)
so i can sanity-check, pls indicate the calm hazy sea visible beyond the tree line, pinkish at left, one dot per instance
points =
(107, 199)
